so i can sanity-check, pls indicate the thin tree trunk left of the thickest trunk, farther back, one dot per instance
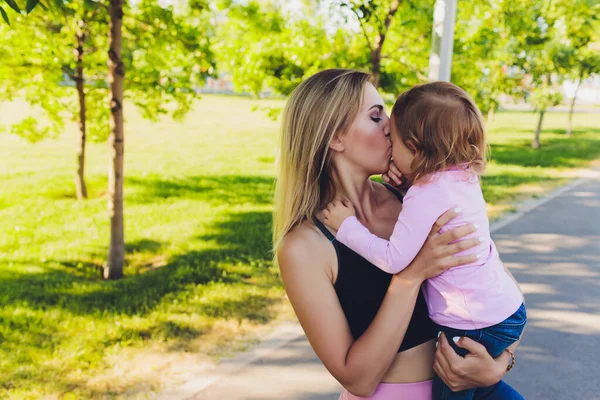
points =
(80, 187)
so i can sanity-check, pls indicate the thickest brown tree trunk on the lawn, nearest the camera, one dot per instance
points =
(116, 73)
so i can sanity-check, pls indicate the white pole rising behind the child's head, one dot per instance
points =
(440, 60)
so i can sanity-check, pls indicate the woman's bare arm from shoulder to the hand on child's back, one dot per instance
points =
(359, 365)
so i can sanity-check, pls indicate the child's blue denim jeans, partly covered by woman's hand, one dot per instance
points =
(495, 339)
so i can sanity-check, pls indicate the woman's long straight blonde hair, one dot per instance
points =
(321, 106)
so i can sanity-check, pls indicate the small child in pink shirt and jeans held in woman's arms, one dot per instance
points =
(438, 143)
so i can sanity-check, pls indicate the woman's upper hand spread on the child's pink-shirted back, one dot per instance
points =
(437, 254)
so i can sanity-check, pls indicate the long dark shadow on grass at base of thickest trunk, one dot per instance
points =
(244, 238)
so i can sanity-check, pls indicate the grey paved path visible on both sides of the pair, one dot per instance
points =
(553, 251)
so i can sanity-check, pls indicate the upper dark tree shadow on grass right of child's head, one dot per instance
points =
(554, 152)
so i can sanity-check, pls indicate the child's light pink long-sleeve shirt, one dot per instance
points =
(471, 296)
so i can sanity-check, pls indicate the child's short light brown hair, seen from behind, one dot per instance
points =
(440, 123)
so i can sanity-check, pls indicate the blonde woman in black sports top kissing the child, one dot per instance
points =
(370, 329)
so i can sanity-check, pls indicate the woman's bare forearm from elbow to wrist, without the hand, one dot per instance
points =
(370, 357)
